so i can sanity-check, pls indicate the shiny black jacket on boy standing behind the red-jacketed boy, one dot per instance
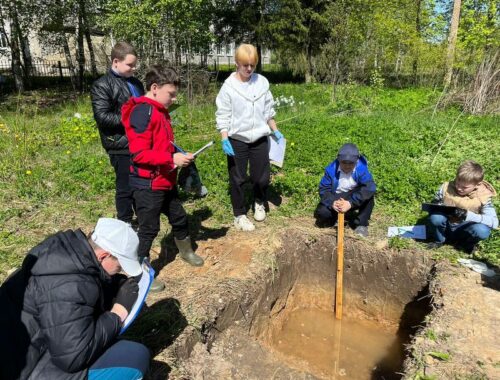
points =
(109, 93)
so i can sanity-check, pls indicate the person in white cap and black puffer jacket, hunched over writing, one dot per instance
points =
(63, 309)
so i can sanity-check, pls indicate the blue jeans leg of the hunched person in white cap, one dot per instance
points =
(125, 360)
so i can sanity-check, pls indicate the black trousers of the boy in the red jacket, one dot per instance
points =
(150, 204)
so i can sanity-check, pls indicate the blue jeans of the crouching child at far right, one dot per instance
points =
(465, 234)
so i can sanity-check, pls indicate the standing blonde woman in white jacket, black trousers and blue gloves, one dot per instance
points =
(245, 119)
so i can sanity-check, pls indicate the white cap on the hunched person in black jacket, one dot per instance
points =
(121, 241)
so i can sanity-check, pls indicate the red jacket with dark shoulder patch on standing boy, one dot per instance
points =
(150, 136)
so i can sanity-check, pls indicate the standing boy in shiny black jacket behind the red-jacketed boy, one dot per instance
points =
(108, 94)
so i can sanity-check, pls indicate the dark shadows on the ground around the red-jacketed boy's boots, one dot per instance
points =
(197, 232)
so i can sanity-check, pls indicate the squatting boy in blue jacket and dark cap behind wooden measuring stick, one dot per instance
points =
(346, 186)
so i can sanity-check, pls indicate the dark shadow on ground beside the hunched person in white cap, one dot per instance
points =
(157, 327)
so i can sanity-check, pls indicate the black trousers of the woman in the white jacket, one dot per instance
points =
(257, 155)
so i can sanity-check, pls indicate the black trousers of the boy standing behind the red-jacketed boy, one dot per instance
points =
(124, 199)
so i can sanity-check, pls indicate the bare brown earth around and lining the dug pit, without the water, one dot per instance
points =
(206, 313)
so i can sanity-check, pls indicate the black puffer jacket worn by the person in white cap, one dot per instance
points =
(53, 323)
